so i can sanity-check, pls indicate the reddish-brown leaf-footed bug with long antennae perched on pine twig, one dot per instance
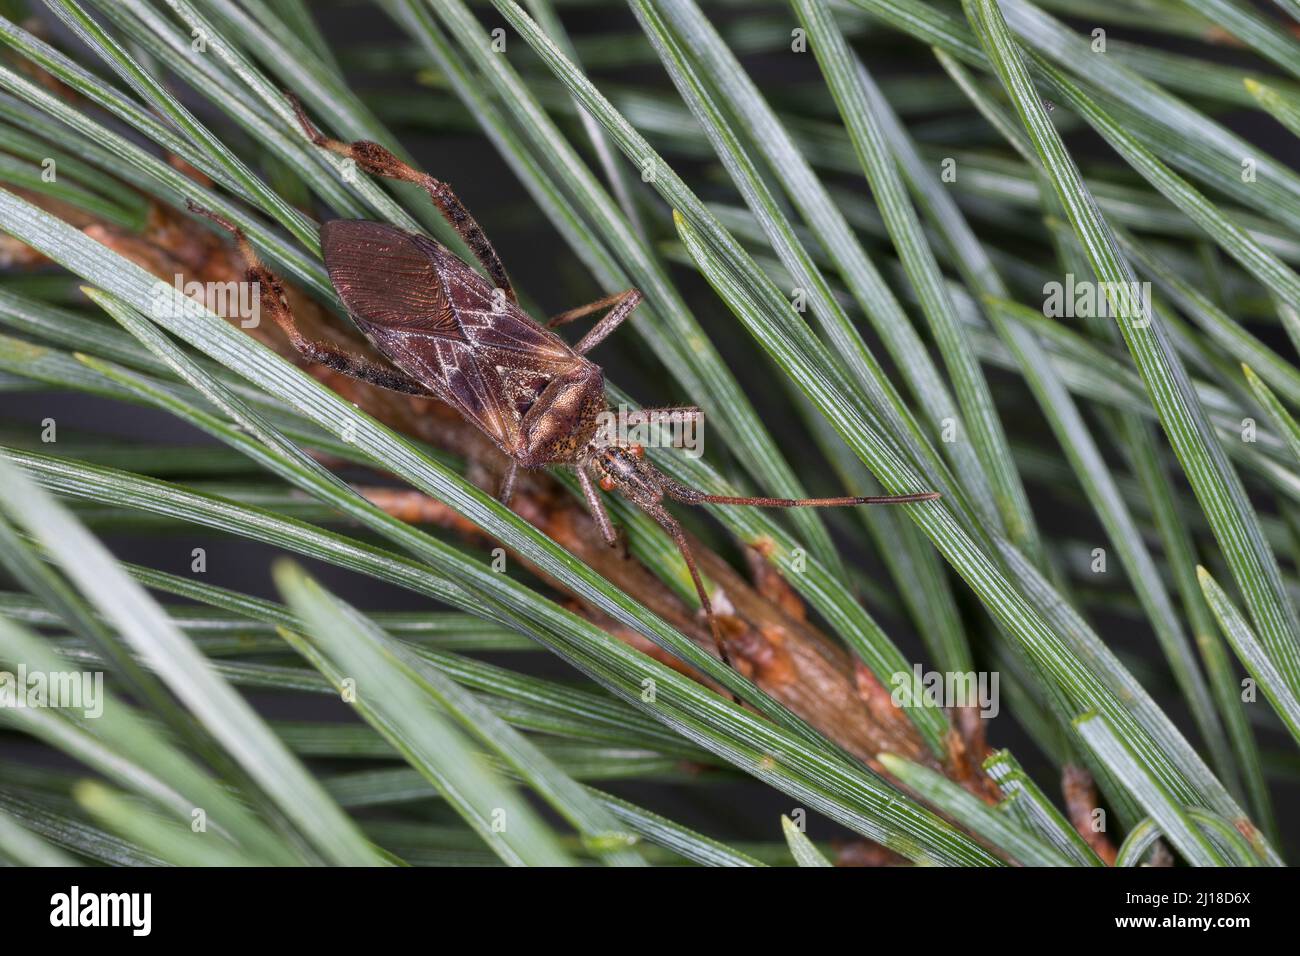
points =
(452, 335)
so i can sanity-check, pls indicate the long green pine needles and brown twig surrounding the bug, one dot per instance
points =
(878, 231)
